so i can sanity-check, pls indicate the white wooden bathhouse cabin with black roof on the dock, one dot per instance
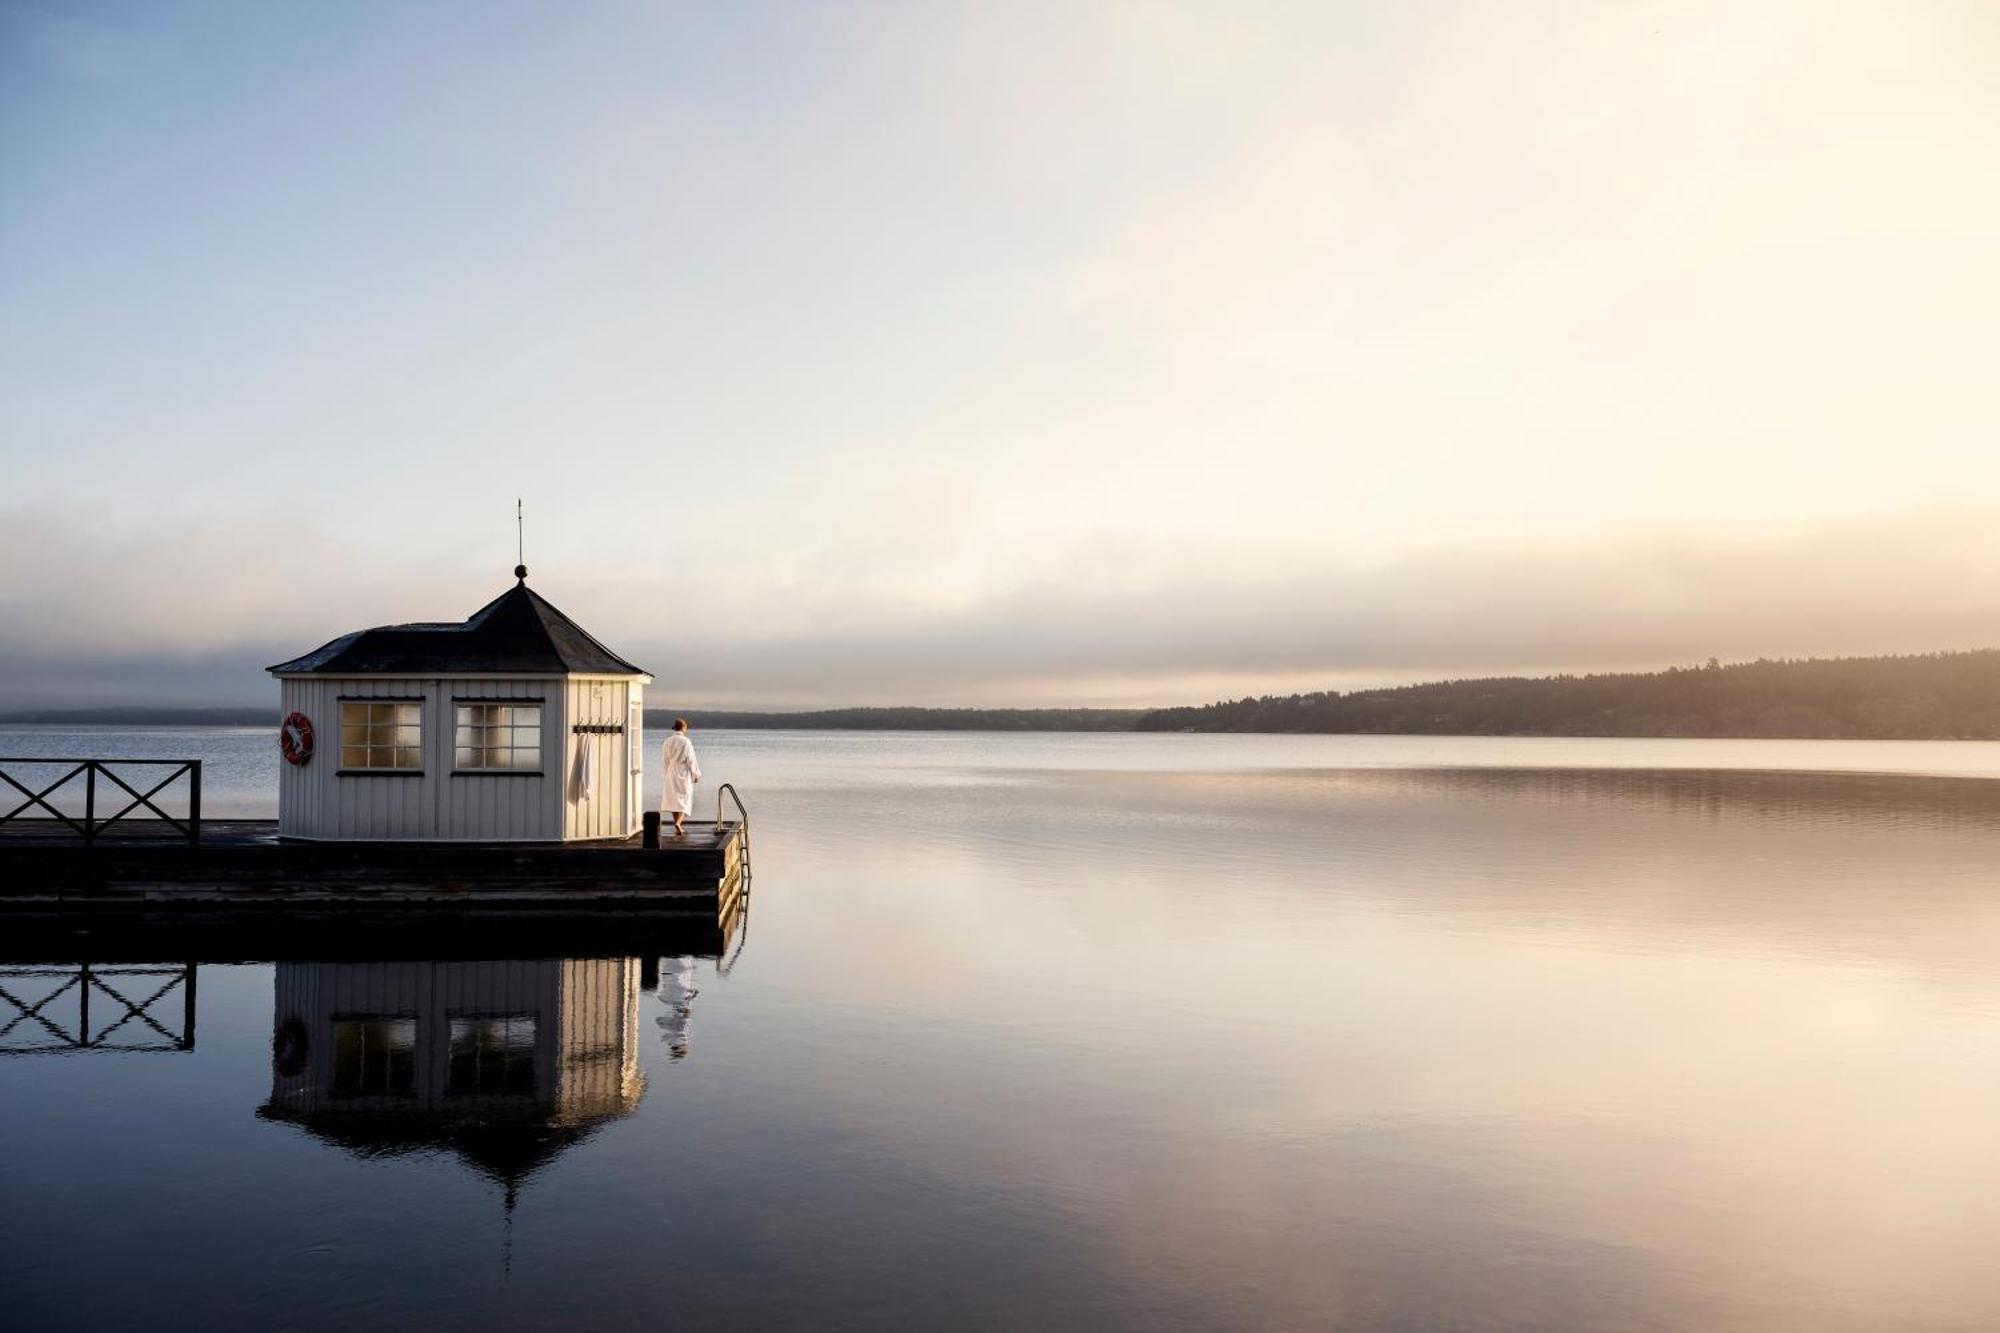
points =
(515, 726)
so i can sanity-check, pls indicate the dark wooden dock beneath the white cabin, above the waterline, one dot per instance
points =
(243, 868)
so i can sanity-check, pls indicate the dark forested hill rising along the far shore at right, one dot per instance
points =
(1921, 698)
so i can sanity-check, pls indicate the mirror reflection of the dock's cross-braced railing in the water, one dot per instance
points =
(39, 1016)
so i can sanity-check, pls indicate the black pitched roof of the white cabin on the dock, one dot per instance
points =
(517, 633)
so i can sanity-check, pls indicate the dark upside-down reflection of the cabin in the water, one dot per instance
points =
(505, 1064)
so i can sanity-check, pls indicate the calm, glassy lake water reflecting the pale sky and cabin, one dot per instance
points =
(1099, 1034)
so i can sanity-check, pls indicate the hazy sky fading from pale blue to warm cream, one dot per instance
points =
(997, 353)
